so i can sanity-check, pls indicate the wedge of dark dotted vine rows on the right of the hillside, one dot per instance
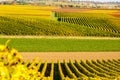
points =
(100, 23)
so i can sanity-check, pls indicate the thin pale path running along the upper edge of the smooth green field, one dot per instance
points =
(61, 37)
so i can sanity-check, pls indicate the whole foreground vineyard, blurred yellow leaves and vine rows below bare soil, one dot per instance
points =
(13, 67)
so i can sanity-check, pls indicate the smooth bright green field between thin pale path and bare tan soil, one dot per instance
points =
(62, 45)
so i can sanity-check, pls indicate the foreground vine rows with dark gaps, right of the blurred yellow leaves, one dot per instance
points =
(78, 69)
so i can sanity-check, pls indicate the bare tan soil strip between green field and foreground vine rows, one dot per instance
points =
(69, 55)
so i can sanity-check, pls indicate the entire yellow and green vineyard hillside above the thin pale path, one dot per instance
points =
(41, 21)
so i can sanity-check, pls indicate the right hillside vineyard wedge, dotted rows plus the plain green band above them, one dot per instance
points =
(96, 21)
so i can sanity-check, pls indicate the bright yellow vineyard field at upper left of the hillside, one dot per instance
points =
(26, 10)
